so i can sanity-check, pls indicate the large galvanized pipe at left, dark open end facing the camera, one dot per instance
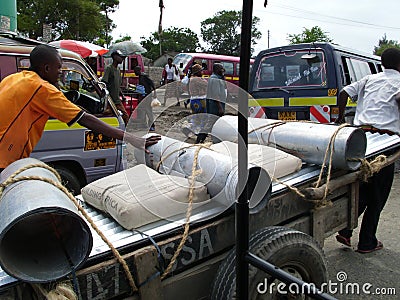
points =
(42, 236)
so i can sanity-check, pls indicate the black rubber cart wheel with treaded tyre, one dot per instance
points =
(291, 250)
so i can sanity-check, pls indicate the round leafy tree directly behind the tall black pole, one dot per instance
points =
(221, 33)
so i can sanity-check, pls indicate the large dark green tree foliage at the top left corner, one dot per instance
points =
(70, 19)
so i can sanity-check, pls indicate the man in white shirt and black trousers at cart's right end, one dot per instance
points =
(377, 111)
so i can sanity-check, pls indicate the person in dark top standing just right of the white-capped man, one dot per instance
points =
(149, 88)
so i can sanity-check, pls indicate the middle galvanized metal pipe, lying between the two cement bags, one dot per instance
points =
(218, 171)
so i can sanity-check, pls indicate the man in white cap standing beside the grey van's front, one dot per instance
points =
(112, 78)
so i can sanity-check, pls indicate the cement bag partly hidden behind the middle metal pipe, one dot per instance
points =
(276, 162)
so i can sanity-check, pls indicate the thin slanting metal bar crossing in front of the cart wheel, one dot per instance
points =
(287, 278)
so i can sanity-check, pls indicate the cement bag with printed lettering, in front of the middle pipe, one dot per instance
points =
(140, 195)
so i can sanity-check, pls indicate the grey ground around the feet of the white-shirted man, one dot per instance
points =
(380, 269)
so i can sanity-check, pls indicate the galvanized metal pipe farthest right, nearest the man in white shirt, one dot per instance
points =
(308, 141)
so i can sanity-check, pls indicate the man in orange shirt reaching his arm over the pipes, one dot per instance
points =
(29, 98)
